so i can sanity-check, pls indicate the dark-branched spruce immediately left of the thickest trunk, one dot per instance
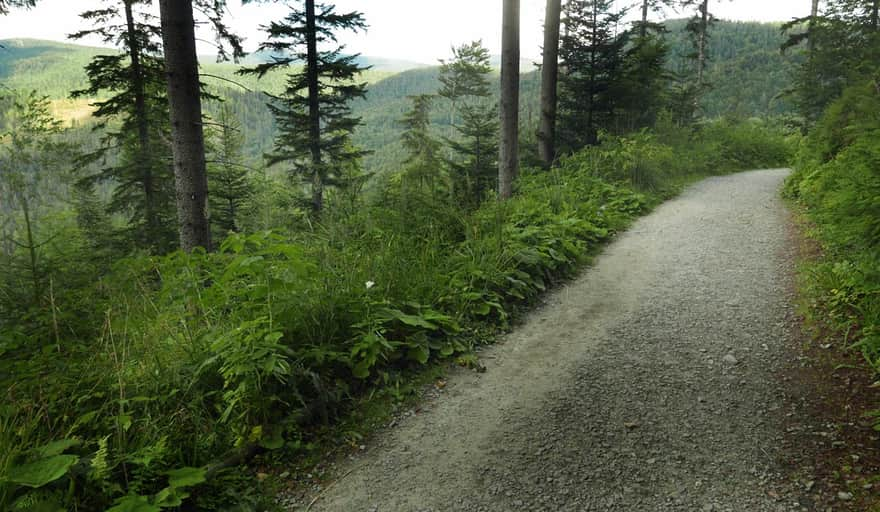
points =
(134, 154)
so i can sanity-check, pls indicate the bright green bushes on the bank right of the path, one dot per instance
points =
(837, 185)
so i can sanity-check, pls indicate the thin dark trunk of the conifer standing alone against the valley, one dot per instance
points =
(314, 108)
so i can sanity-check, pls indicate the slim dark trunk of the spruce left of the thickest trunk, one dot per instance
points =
(143, 127)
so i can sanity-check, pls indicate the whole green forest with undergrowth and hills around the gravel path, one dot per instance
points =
(213, 271)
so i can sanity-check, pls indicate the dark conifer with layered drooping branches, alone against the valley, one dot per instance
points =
(313, 113)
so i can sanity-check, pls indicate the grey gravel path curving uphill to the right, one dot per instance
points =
(648, 384)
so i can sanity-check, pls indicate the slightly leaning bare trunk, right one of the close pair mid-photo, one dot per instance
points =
(549, 83)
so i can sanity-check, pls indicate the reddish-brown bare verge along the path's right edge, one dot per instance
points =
(831, 446)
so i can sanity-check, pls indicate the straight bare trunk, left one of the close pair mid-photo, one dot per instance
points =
(508, 161)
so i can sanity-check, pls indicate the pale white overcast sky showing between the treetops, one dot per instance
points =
(419, 30)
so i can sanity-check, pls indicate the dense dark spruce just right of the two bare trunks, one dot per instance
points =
(593, 58)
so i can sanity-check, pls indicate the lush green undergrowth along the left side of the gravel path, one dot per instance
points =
(144, 388)
